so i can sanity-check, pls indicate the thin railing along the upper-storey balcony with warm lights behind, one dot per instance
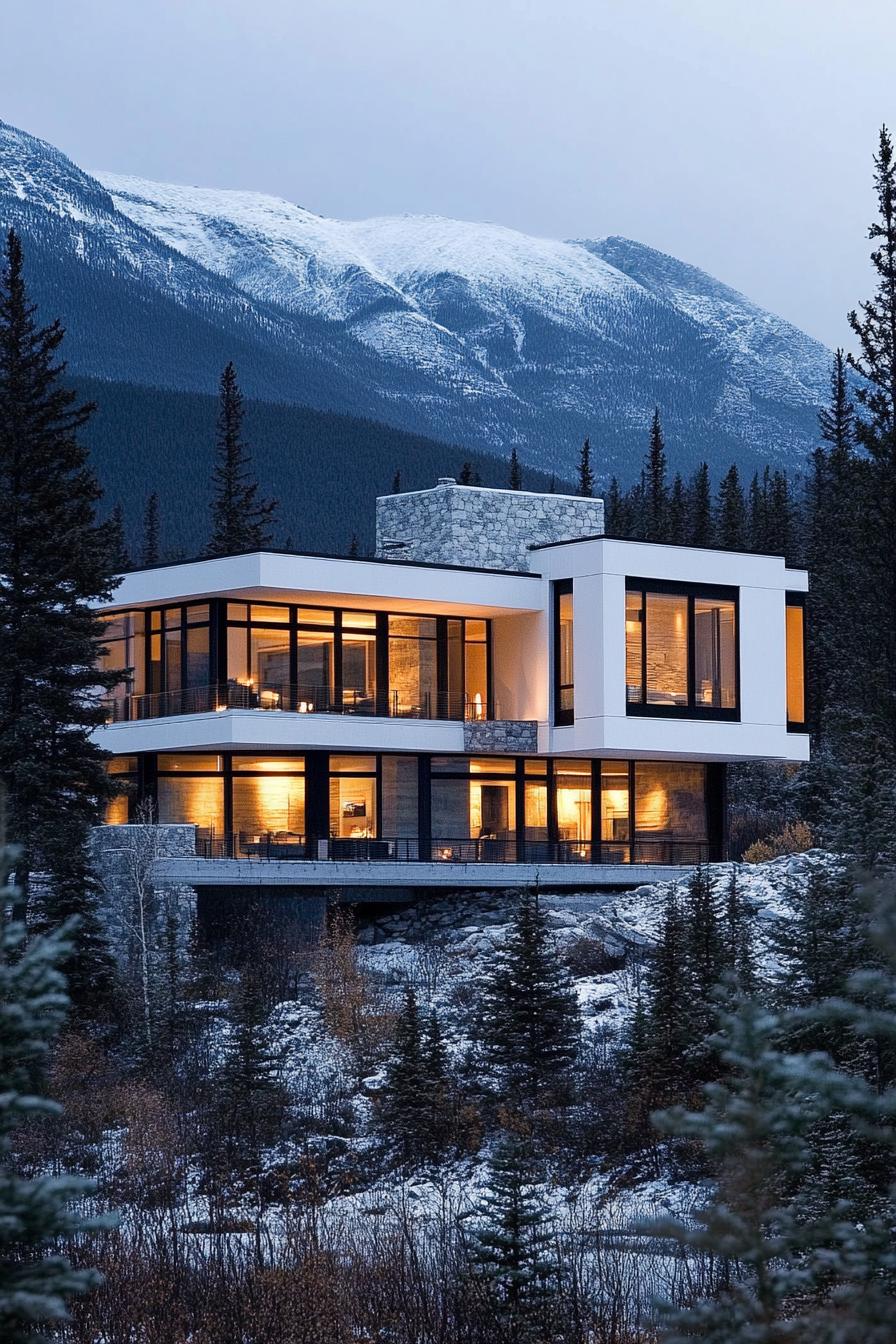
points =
(300, 698)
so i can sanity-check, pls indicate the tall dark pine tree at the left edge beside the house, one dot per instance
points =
(57, 565)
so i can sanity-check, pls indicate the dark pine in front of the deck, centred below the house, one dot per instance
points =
(529, 1021)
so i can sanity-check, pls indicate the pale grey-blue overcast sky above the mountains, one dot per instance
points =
(734, 134)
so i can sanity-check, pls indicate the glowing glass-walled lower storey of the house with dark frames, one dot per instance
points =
(410, 810)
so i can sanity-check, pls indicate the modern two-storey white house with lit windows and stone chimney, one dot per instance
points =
(500, 686)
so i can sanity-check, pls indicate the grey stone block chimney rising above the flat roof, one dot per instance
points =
(467, 525)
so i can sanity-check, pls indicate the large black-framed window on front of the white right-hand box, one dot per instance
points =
(682, 650)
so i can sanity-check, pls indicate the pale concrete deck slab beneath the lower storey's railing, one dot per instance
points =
(308, 873)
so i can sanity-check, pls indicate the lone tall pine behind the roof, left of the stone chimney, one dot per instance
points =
(241, 521)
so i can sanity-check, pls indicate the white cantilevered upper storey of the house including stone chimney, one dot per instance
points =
(568, 643)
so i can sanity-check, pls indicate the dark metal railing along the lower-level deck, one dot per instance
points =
(449, 850)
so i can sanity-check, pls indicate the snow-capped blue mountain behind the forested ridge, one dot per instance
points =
(469, 333)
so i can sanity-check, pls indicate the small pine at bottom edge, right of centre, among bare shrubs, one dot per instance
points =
(512, 1244)
